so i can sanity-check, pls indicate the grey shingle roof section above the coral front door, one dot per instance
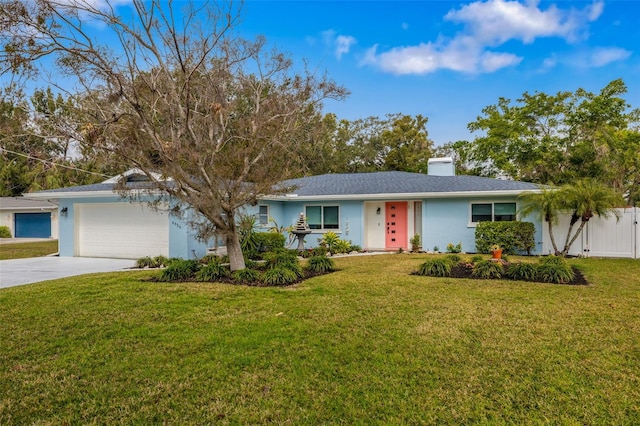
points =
(398, 183)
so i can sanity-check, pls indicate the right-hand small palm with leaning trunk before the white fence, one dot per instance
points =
(587, 198)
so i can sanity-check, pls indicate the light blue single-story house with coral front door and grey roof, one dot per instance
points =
(378, 211)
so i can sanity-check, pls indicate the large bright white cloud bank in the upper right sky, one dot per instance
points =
(487, 24)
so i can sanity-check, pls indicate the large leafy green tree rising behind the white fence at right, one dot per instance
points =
(558, 138)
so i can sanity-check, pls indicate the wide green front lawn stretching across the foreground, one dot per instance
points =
(368, 344)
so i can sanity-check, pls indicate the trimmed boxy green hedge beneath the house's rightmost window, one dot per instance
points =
(514, 237)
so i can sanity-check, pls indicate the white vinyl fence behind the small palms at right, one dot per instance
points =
(601, 237)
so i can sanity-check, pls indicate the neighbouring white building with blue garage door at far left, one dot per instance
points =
(27, 218)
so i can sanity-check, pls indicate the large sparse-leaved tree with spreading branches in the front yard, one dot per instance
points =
(172, 88)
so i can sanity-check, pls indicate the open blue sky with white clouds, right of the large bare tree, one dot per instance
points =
(448, 59)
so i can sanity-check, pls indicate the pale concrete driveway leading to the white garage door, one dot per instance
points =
(15, 272)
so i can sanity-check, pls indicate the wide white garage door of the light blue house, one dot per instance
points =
(121, 230)
